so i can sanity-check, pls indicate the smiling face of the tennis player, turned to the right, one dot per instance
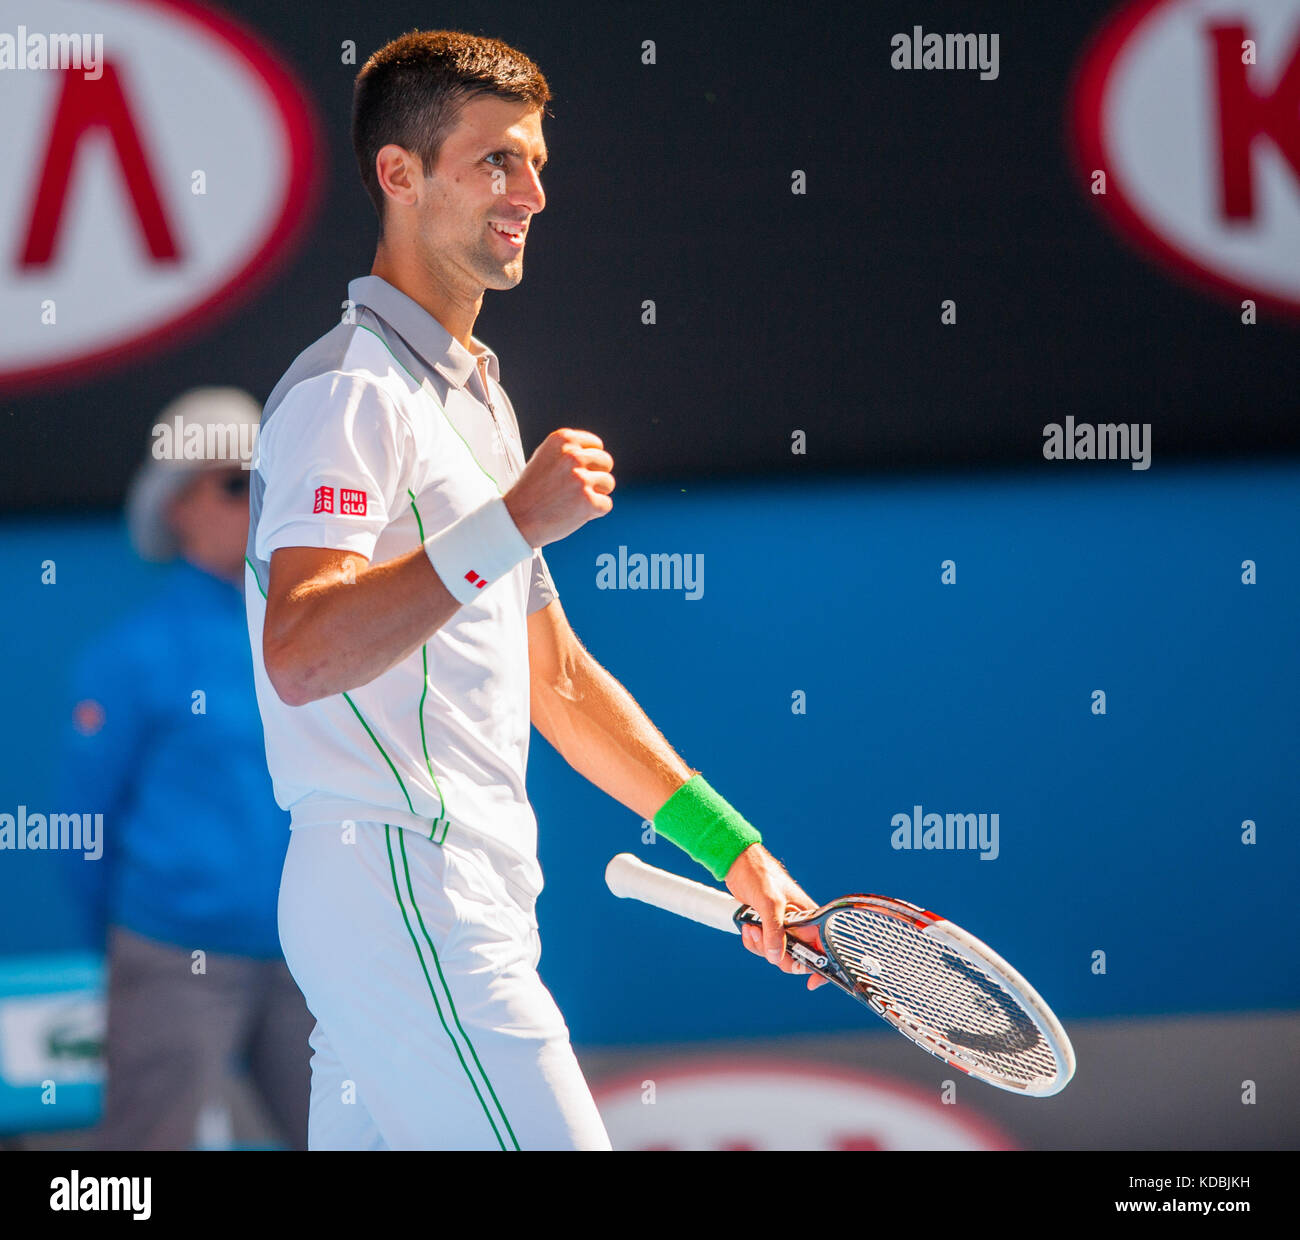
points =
(486, 185)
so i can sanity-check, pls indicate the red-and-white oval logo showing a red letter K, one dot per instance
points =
(1191, 109)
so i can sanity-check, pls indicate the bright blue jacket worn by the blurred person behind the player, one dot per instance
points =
(193, 838)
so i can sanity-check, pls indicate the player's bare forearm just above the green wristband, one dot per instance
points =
(600, 731)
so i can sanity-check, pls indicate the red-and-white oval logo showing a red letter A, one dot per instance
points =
(144, 197)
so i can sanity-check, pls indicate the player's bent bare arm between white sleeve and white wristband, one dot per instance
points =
(348, 625)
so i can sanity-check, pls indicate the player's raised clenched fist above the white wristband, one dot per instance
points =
(566, 483)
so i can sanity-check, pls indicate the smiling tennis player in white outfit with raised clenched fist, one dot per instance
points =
(406, 632)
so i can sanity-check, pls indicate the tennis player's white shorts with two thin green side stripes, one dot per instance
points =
(434, 1030)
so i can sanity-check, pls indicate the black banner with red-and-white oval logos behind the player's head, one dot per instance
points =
(876, 226)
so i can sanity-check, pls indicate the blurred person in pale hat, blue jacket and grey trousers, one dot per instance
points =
(167, 744)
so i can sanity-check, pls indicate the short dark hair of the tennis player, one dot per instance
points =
(411, 93)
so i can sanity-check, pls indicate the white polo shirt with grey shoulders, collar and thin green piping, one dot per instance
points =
(383, 433)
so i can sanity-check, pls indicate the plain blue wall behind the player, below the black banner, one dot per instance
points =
(1119, 833)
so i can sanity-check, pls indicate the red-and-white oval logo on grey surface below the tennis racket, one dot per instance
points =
(762, 1104)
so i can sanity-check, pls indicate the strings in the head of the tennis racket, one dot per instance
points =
(939, 998)
